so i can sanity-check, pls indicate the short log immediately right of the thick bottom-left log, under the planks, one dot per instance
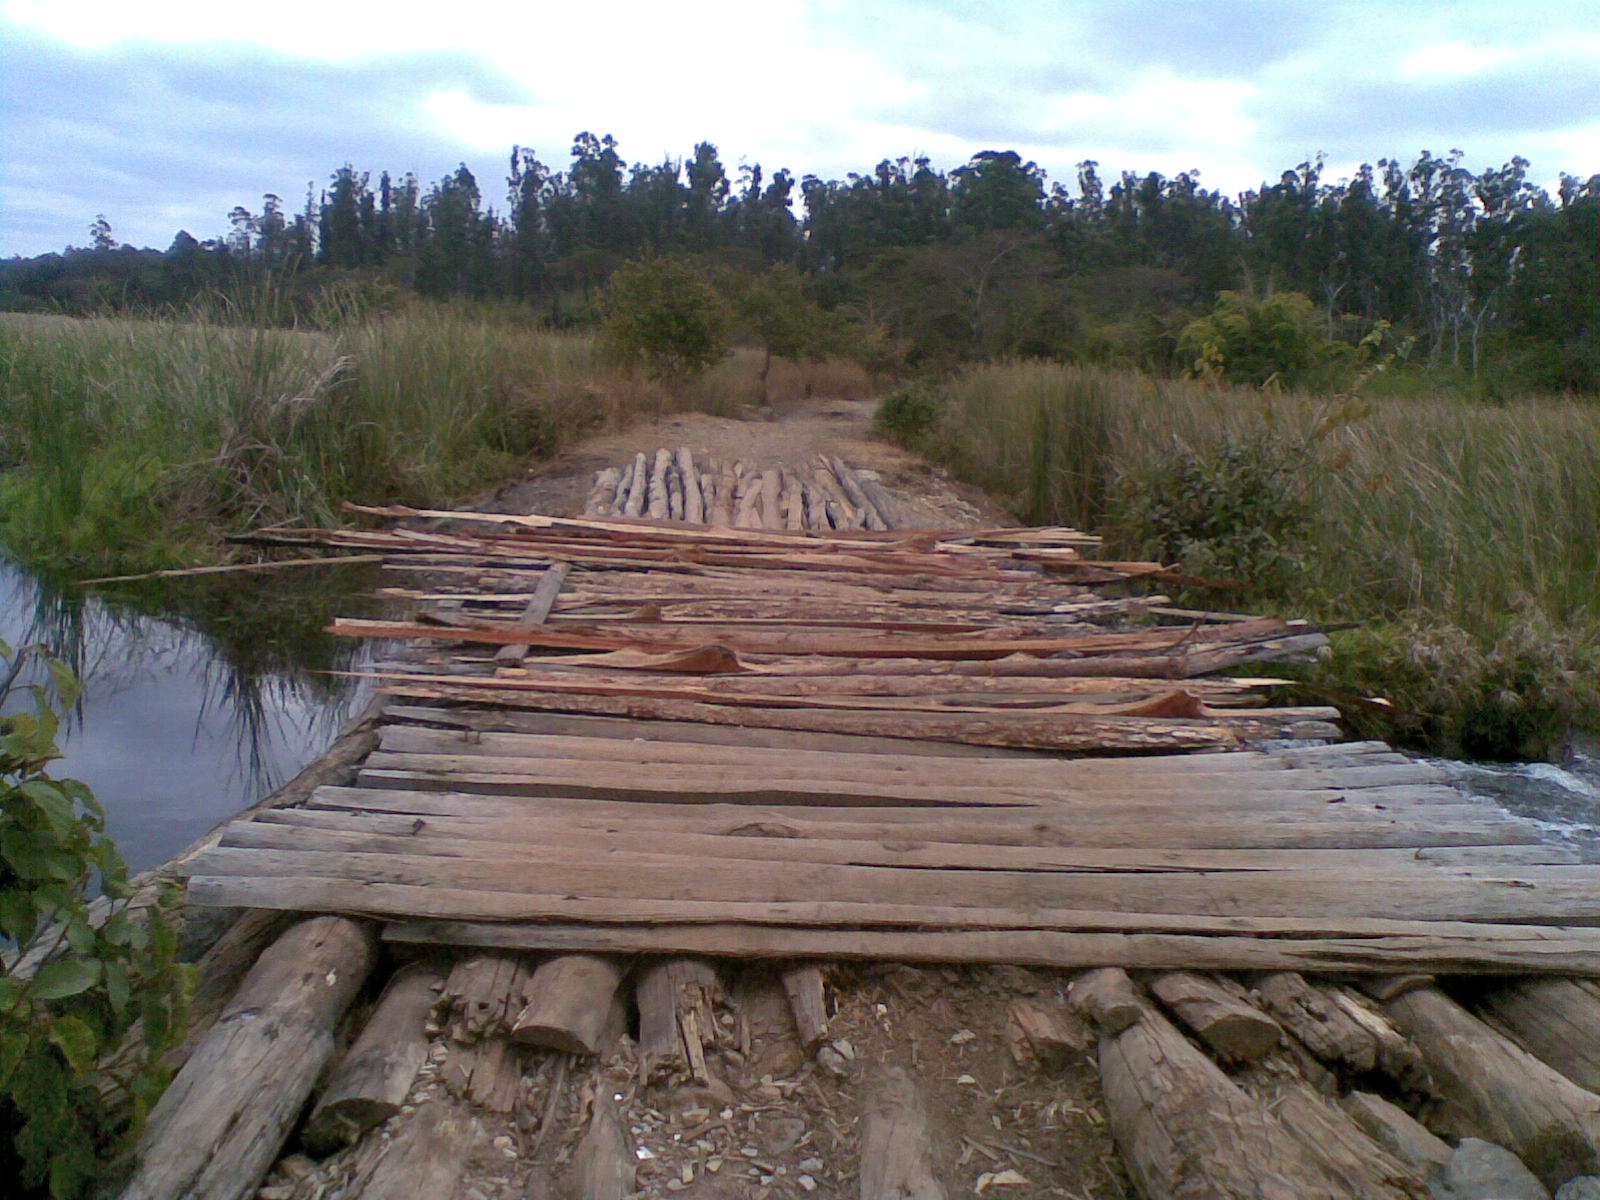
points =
(375, 1076)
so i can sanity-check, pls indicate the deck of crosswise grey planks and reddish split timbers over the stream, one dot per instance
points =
(634, 737)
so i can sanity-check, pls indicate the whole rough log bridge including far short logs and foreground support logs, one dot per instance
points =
(775, 726)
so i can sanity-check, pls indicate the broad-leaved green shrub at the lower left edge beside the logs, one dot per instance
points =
(87, 1007)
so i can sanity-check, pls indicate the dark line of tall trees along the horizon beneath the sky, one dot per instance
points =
(1486, 273)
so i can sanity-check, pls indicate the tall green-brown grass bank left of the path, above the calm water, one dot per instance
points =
(132, 444)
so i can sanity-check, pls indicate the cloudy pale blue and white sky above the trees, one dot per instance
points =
(166, 114)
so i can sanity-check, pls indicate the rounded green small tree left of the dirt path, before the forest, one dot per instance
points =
(665, 314)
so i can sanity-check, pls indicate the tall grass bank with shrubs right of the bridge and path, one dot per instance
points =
(1463, 537)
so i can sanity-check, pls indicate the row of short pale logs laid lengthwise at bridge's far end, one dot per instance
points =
(671, 486)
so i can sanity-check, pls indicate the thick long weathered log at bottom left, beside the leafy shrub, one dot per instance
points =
(223, 1119)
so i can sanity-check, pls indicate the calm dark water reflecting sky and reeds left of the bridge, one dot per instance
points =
(191, 716)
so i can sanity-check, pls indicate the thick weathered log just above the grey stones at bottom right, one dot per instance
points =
(1492, 1089)
